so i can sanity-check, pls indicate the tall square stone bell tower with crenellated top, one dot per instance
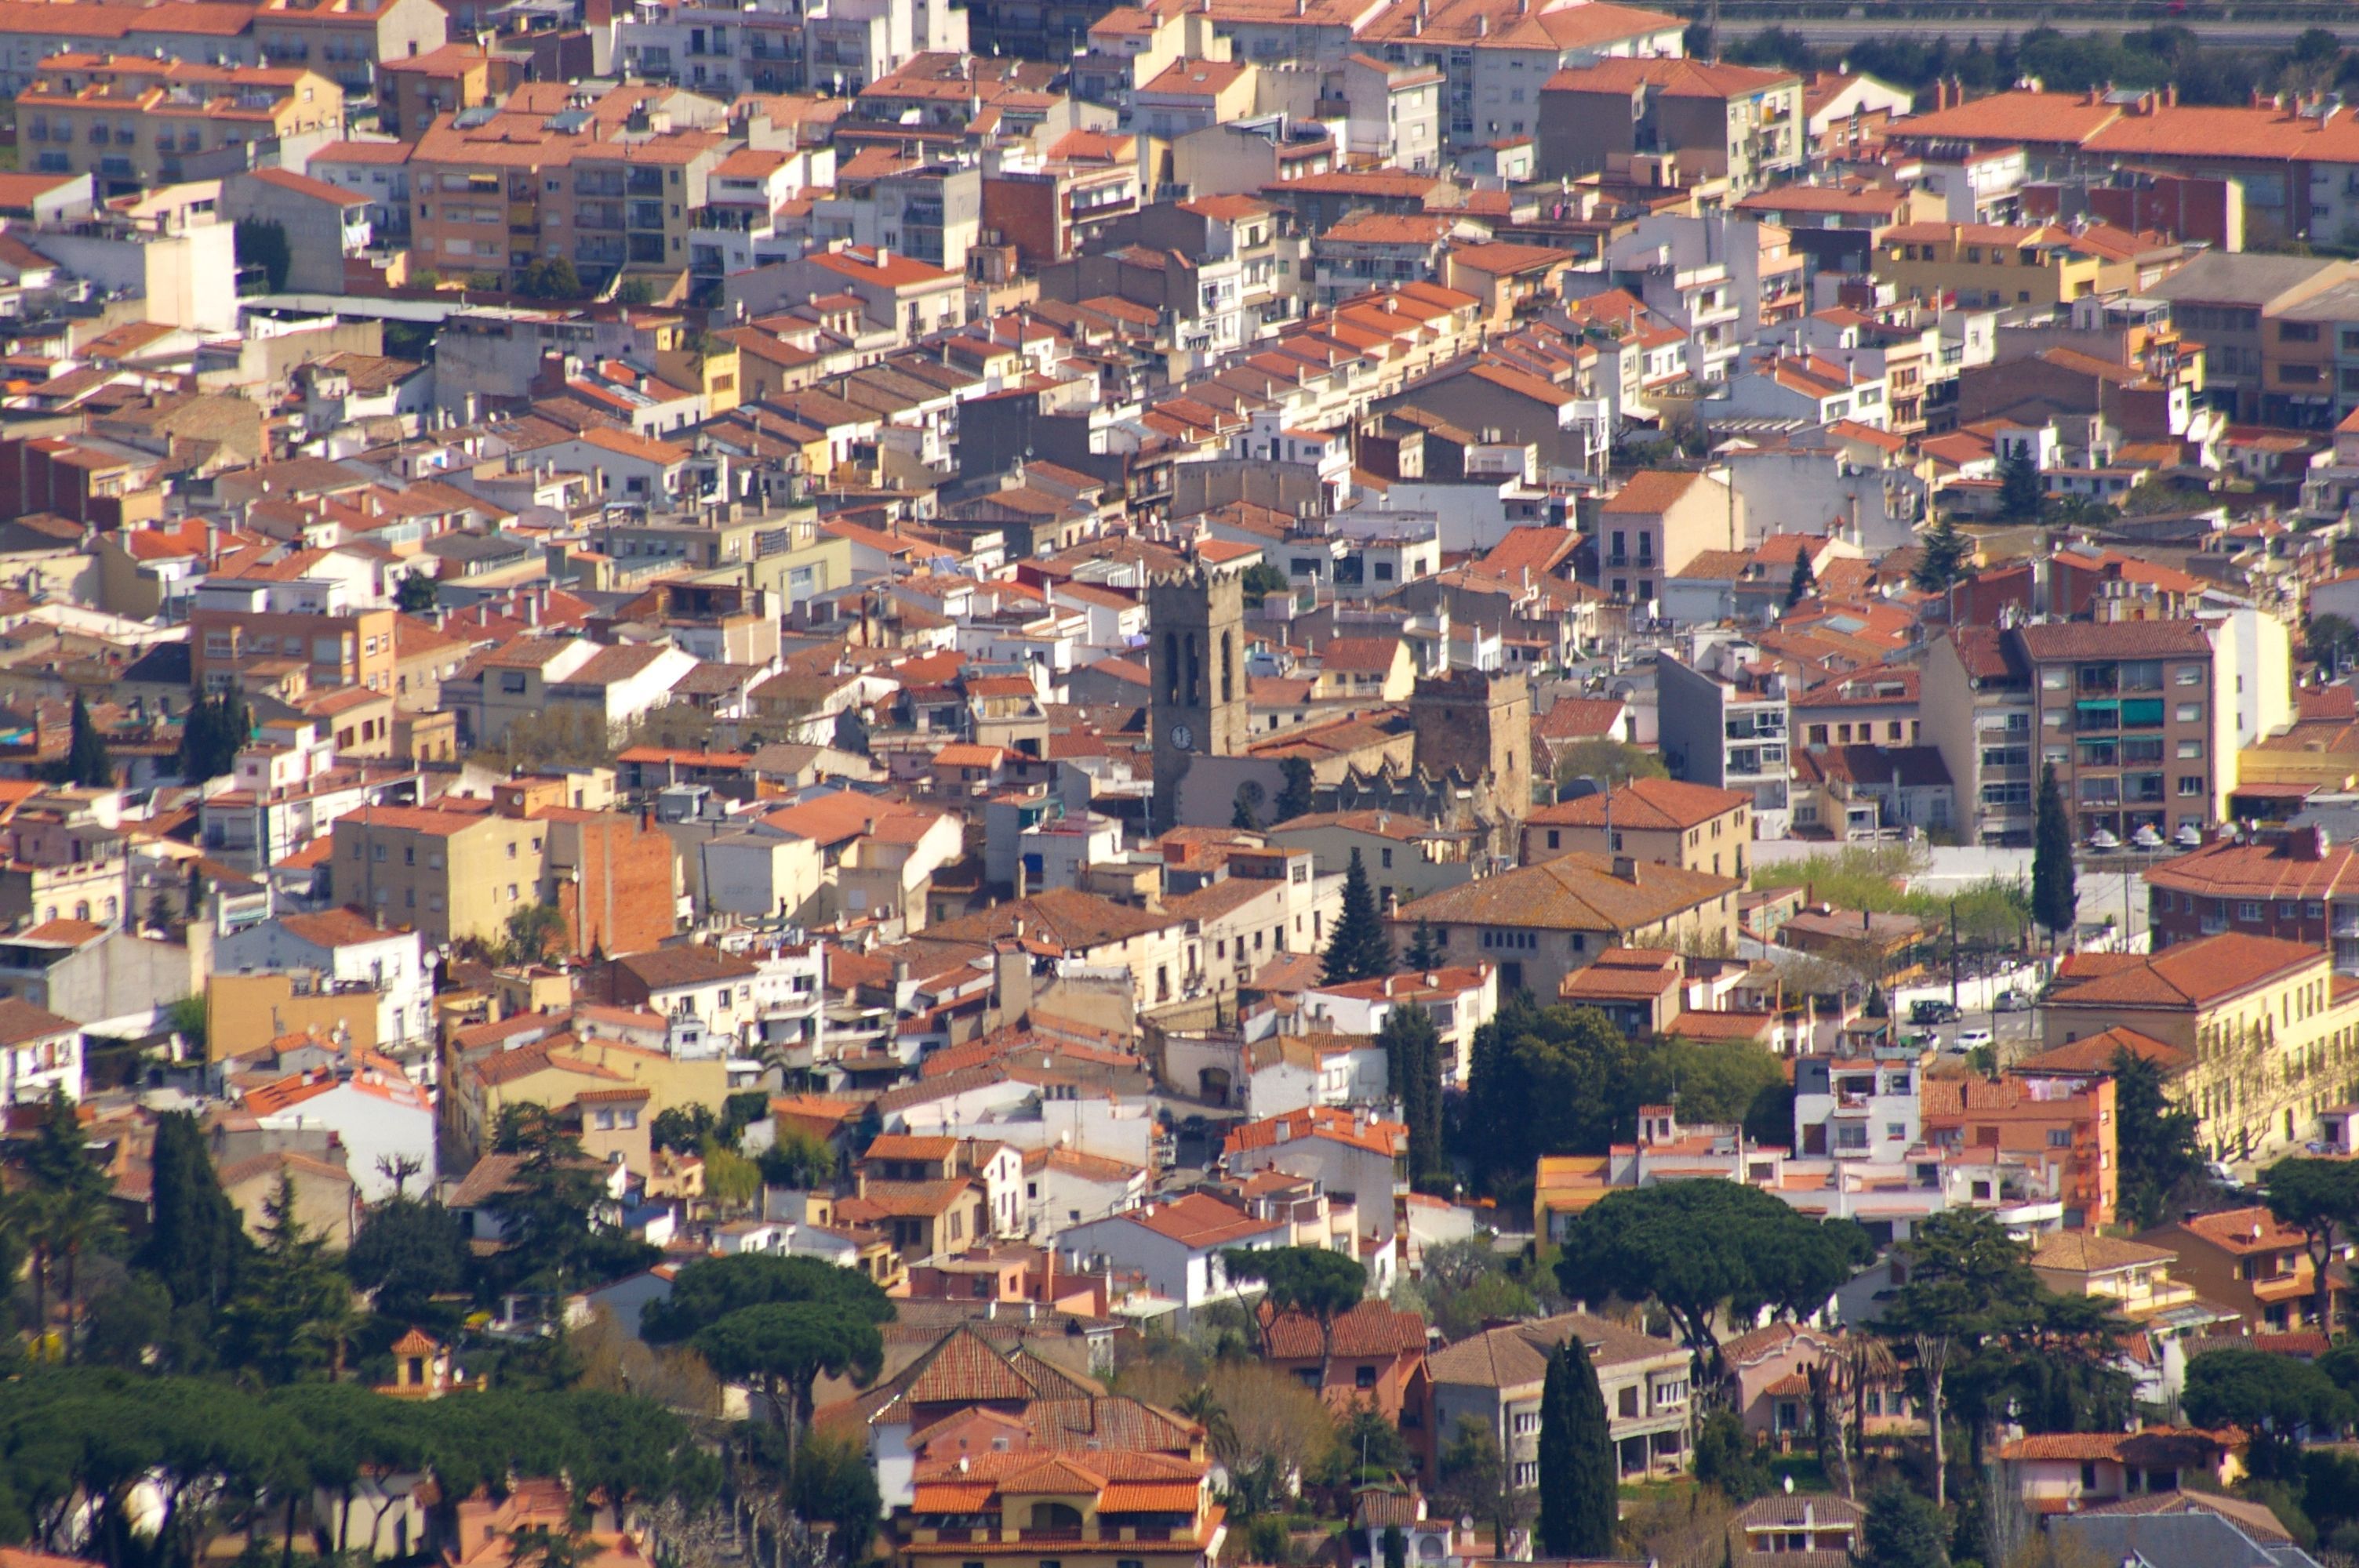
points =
(1197, 661)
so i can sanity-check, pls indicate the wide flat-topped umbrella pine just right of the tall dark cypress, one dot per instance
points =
(1709, 1249)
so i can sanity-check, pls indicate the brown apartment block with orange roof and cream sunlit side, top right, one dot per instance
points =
(1716, 121)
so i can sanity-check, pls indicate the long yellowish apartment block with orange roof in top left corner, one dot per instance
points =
(140, 124)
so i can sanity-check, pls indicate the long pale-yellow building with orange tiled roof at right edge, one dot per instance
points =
(2259, 1034)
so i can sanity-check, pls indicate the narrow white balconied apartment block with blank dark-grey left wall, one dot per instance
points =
(1726, 725)
